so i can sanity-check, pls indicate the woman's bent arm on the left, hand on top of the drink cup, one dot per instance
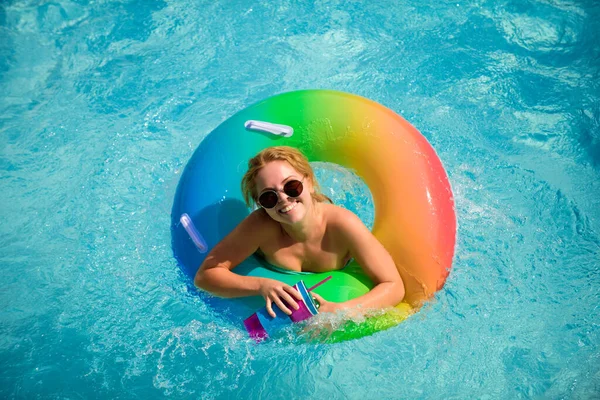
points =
(215, 275)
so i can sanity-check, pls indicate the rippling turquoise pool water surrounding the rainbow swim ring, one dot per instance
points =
(103, 102)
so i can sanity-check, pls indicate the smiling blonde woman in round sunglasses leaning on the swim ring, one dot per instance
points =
(295, 229)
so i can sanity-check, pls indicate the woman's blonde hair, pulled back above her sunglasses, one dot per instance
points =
(294, 157)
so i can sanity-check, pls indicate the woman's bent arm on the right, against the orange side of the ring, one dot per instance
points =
(375, 261)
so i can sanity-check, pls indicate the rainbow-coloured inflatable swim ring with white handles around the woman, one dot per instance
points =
(414, 206)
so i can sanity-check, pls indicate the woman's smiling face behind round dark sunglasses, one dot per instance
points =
(288, 210)
